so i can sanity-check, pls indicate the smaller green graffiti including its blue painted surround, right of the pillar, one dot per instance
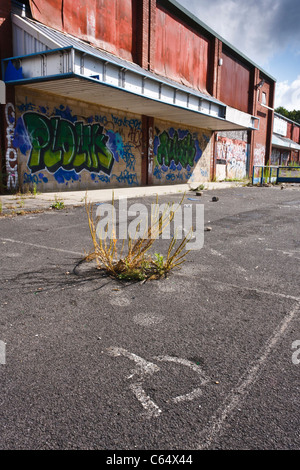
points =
(176, 152)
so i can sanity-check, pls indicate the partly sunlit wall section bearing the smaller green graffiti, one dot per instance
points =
(180, 154)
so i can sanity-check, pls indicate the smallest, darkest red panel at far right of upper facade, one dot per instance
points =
(235, 83)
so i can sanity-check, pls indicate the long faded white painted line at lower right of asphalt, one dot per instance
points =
(238, 393)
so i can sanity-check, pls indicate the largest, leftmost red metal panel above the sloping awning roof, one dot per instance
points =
(107, 24)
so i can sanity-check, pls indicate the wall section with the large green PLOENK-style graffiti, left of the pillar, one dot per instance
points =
(66, 144)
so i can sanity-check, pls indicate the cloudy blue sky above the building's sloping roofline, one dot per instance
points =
(266, 31)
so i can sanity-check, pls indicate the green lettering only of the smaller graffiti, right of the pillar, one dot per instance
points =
(177, 147)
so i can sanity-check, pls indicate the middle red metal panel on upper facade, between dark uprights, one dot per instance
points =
(181, 53)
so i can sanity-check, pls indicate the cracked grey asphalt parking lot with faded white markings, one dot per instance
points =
(205, 359)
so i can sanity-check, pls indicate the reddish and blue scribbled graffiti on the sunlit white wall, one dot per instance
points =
(233, 154)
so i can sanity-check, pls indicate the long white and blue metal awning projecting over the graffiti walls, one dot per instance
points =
(71, 68)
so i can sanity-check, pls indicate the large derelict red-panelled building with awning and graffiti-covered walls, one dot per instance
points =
(125, 93)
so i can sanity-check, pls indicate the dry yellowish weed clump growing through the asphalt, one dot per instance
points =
(135, 261)
